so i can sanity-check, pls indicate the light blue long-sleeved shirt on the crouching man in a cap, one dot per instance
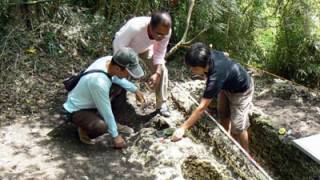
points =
(92, 91)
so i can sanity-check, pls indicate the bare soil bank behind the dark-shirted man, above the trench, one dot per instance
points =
(285, 105)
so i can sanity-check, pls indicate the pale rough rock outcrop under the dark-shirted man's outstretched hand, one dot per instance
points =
(167, 160)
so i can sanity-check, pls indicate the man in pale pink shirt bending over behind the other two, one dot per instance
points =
(149, 37)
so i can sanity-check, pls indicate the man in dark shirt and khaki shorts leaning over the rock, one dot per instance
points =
(226, 80)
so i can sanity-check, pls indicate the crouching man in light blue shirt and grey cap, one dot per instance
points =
(91, 94)
